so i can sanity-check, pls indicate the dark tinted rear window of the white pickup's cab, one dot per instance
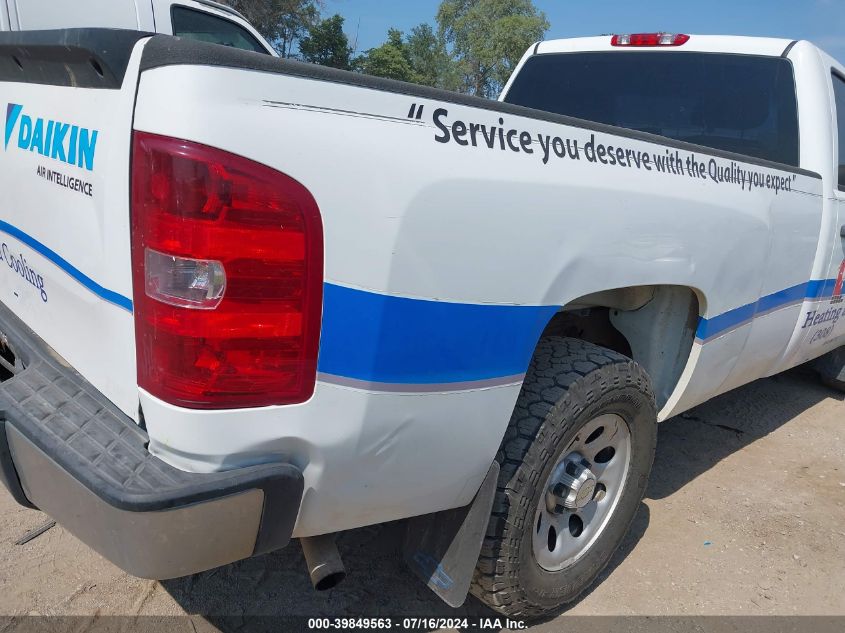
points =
(736, 103)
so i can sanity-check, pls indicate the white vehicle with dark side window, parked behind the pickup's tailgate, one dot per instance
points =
(202, 20)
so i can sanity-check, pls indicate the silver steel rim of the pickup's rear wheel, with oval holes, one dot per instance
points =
(561, 535)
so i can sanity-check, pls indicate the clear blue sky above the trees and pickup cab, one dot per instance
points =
(820, 21)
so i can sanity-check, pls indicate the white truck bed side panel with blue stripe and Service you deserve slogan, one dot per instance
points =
(445, 257)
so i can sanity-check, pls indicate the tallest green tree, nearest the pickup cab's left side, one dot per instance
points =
(488, 38)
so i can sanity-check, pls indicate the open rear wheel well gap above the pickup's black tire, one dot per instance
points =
(654, 325)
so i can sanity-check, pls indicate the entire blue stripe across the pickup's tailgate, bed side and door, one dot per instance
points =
(383, 339)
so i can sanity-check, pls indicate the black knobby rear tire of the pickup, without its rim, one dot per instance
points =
(569, 383)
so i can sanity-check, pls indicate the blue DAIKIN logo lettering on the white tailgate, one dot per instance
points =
(64, 142)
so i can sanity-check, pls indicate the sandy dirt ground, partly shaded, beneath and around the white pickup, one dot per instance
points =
(745, 514)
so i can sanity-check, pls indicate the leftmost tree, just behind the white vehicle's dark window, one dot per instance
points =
(282, 22)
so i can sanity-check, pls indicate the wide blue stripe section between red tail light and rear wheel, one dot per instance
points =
(383, 339)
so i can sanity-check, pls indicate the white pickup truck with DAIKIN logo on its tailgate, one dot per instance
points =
(244, 299)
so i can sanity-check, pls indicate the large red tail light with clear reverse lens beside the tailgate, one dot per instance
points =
(227, 259)
